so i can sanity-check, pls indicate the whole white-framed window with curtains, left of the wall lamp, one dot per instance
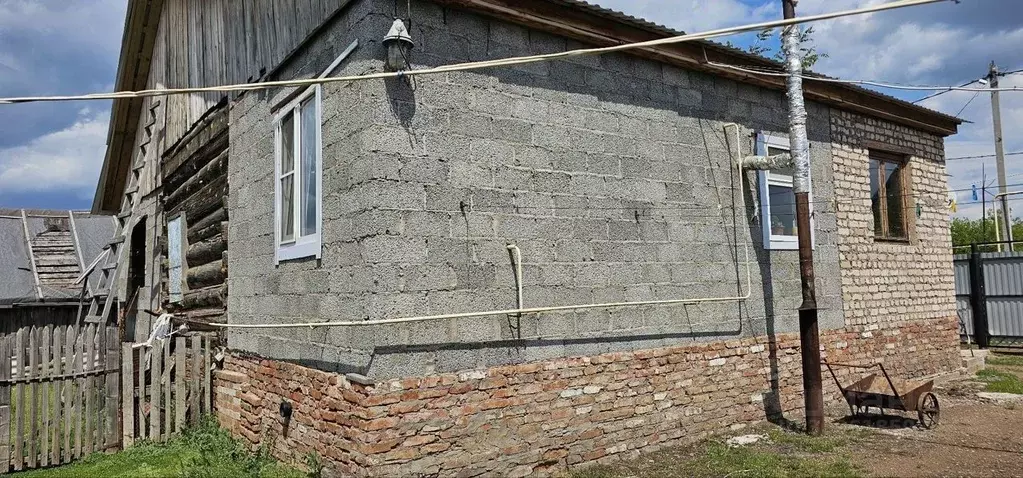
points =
(298, 189)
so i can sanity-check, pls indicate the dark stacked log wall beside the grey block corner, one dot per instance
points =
(195, 185)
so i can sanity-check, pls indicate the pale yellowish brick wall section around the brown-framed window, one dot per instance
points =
(886, 282)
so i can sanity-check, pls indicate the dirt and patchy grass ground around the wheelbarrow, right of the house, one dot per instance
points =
(975, 438)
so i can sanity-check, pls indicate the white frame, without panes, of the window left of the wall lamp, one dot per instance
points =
(309, 245)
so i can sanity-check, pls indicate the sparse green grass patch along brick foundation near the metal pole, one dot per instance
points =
(785, 455)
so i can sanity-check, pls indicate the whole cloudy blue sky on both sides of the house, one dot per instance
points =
(51, 154)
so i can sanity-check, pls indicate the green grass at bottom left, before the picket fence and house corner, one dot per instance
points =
(203, 452)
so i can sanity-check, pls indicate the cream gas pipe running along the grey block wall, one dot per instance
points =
(517, 257)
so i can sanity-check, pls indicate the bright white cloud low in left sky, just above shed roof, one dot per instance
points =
(65, 161)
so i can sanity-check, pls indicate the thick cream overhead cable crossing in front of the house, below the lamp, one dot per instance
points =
(475, 65)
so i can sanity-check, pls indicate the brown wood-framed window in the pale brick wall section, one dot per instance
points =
(888, 196)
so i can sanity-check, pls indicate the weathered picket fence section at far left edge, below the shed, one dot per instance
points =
(59, 395)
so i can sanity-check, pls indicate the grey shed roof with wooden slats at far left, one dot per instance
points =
(42, 252)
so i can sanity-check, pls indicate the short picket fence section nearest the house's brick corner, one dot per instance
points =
(165, 388)
